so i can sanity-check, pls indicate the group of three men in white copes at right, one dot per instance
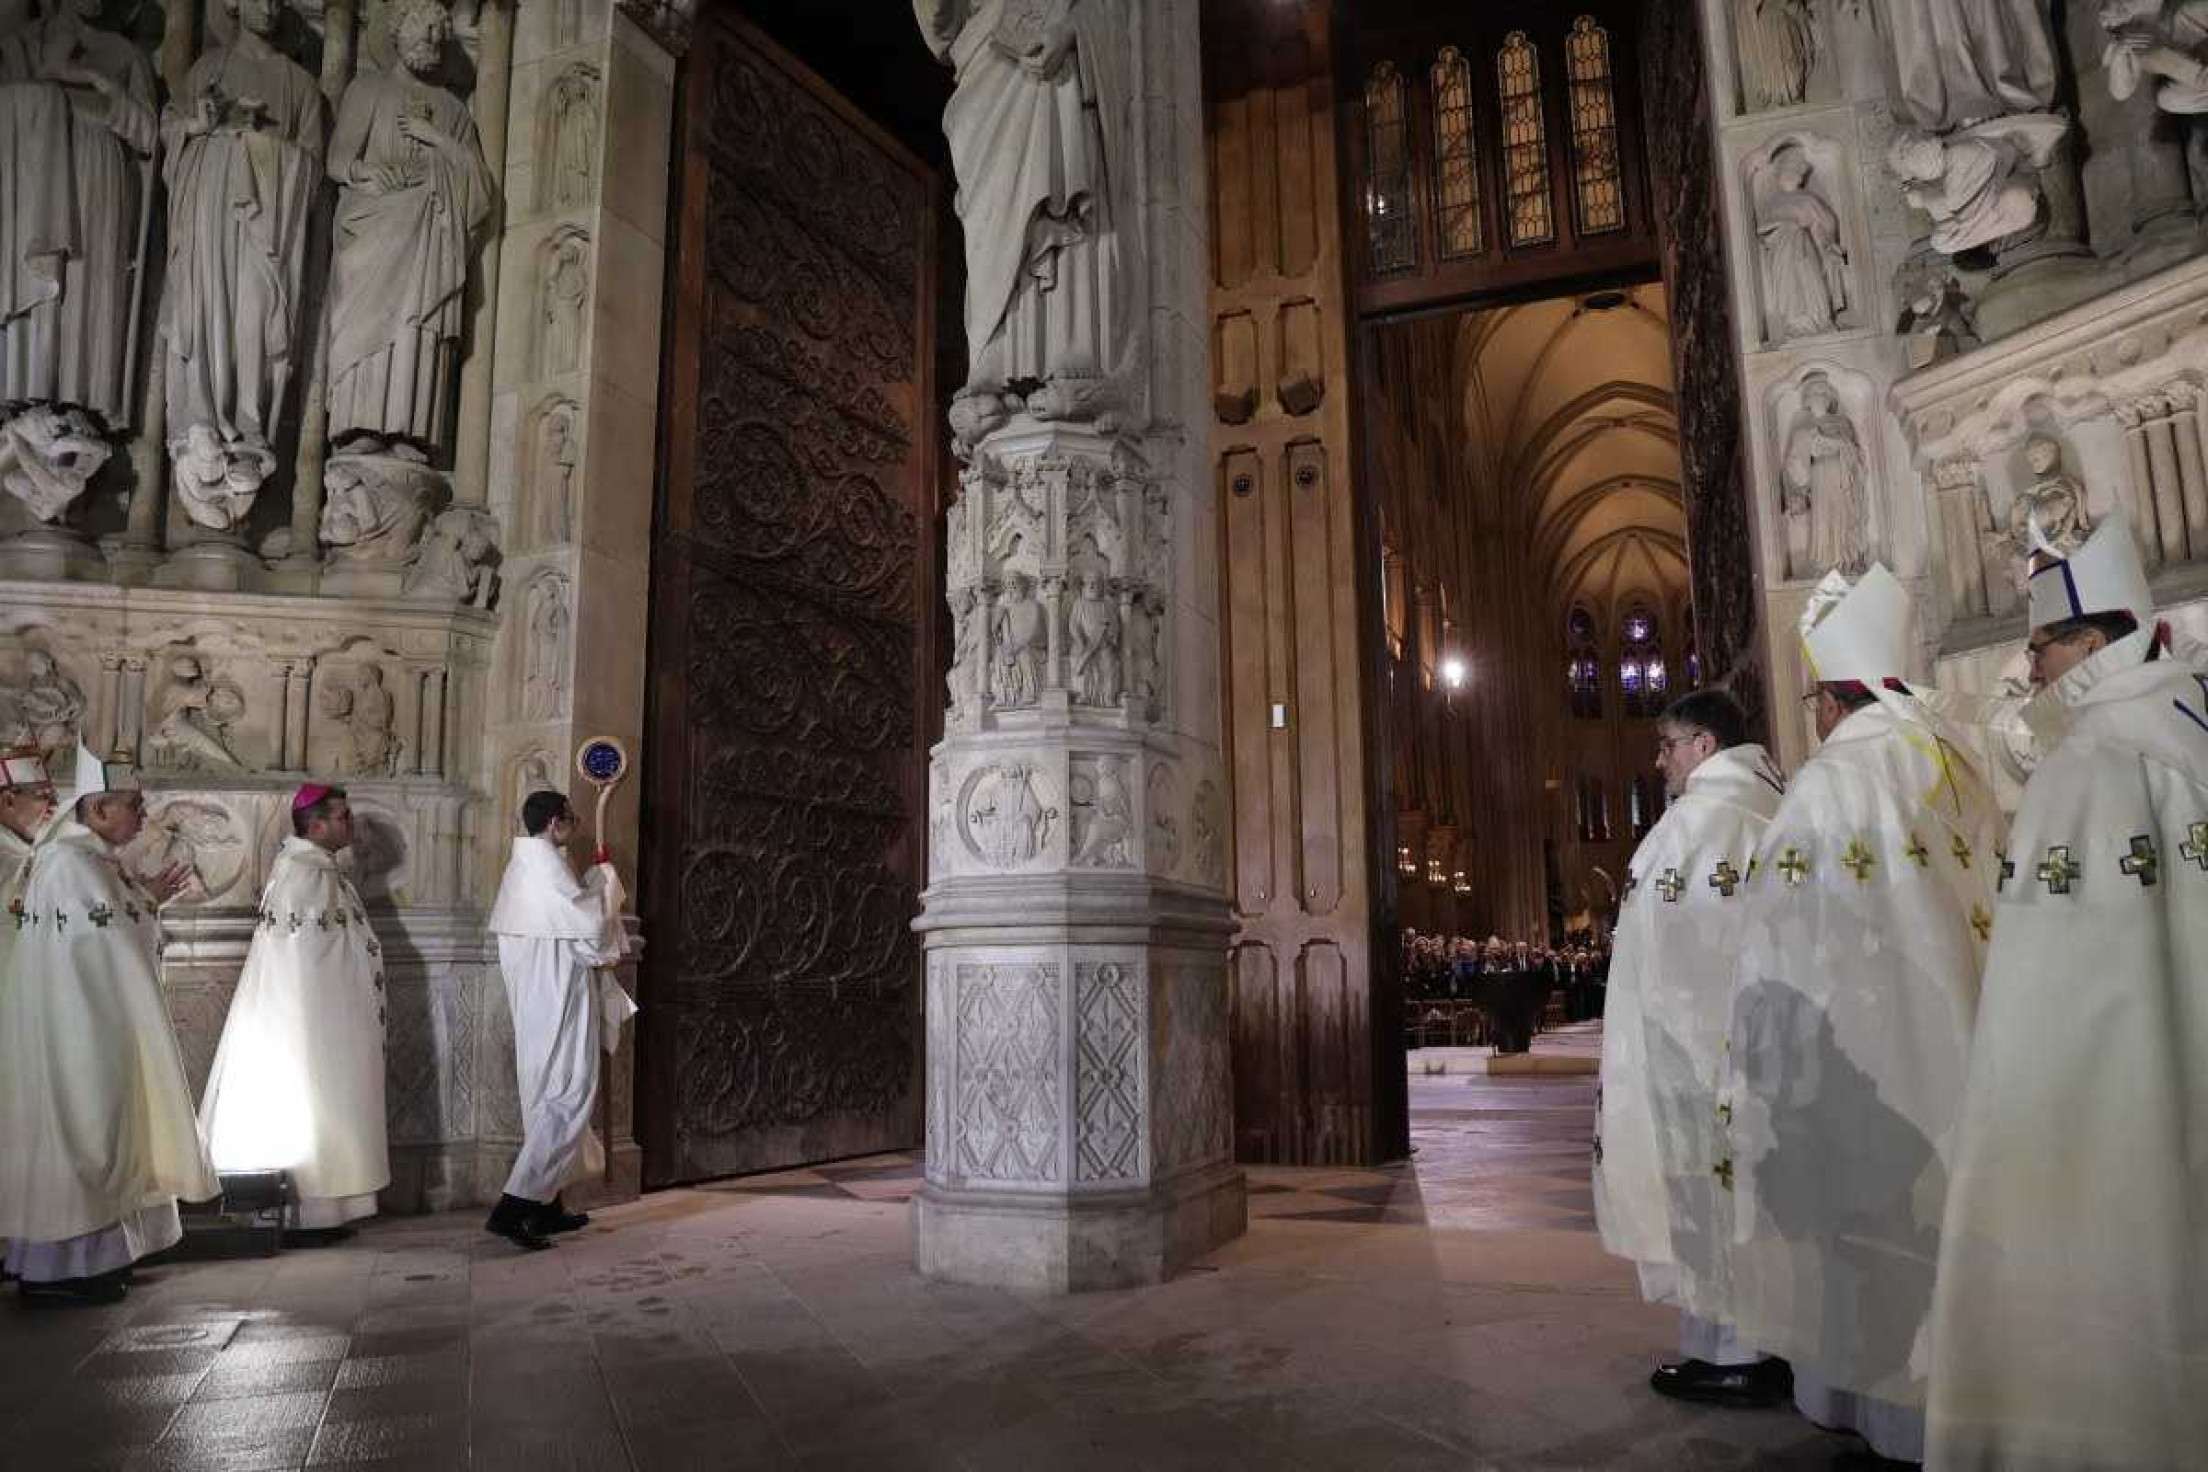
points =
(1902, 1102)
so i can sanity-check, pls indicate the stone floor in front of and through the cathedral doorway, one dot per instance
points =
(1447, 1314)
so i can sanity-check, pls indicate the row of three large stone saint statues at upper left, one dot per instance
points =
(244, 151)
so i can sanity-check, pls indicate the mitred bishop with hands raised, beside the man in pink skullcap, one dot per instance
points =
(98, 1135)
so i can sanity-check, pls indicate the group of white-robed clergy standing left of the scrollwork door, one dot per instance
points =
(100, 1138)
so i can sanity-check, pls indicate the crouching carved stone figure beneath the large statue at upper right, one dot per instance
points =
(1979, 184)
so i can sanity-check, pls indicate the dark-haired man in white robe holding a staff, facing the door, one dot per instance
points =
(555, 932)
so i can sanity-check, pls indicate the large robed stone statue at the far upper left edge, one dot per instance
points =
(81, 127)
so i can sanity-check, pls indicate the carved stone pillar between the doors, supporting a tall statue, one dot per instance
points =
(1076, 924)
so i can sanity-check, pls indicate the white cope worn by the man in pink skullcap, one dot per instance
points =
(299, 1080)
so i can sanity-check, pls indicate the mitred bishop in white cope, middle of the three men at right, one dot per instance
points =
(1854, 1005)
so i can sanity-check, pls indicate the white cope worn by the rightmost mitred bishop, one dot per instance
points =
(2072, 1314)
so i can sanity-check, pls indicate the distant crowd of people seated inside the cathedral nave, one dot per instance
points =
(1509, 981)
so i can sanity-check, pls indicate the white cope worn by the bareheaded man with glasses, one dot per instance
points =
(1664, 1034)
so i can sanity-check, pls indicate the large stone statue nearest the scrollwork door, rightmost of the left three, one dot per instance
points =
(414, 193)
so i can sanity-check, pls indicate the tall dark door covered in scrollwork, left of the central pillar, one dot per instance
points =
(792, 590)
